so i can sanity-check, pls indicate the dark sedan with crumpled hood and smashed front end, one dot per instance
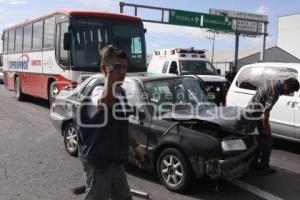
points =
(185, 136)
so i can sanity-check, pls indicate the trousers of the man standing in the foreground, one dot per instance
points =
(106, 182)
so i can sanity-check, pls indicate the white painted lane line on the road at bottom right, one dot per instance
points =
(255, 190)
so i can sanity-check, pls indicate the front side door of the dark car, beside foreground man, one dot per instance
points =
(139, 121)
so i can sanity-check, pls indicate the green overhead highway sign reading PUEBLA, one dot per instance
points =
(202, 20)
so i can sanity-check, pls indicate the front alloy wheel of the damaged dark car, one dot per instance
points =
(174, 170)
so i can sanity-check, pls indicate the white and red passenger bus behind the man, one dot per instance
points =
(43, 55)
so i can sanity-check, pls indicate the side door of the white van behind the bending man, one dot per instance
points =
(283, 113)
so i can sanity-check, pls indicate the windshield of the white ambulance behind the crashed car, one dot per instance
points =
(197, 67)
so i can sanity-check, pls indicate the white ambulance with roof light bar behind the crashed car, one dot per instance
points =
(190, 62)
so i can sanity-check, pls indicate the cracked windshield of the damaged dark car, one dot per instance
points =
(183, 92)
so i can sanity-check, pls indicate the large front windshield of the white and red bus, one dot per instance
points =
(91, 34)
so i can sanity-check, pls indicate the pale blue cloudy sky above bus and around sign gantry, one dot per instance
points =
(158, 35)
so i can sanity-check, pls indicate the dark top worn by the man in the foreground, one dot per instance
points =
(107, 144)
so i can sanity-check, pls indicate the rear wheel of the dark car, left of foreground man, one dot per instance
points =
(70, 139)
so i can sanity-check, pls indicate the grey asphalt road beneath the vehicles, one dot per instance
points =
(34, 164)
